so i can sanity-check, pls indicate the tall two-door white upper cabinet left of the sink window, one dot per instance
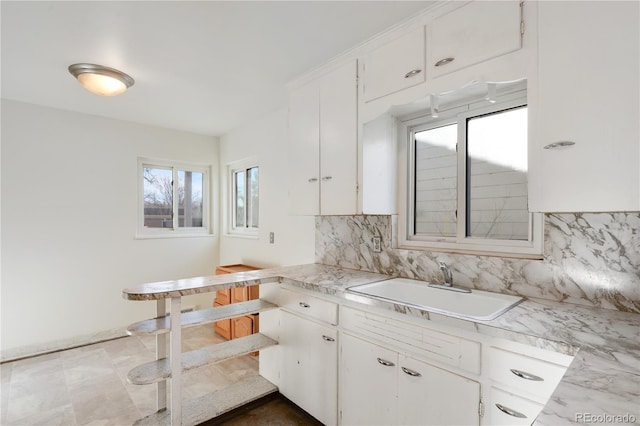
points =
(323, 144)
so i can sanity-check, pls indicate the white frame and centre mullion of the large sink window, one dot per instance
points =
(530, 249)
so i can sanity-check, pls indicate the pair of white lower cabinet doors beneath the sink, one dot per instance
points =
(380, 386)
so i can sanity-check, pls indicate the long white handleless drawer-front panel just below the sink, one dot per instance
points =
(428, 344)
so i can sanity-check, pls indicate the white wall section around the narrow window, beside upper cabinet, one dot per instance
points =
(266, 140)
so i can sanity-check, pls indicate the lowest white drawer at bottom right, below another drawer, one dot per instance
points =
(509, 409)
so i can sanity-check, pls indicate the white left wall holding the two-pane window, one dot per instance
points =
(69, 205)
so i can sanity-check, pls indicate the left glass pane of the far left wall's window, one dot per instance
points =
(158, 197)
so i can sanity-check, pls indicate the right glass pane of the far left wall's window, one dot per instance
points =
(190, 207)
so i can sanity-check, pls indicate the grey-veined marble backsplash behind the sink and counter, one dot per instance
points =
(590, 259)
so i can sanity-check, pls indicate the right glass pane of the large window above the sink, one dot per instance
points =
(497, 164)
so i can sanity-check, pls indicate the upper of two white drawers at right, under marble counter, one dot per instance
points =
(525, 374)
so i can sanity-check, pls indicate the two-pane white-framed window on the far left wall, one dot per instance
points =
(174, 198)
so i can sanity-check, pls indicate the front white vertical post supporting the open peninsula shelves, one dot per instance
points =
(175, 356)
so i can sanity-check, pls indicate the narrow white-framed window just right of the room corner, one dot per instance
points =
(244, 197)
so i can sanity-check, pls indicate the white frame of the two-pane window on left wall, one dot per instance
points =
(143, 232)
